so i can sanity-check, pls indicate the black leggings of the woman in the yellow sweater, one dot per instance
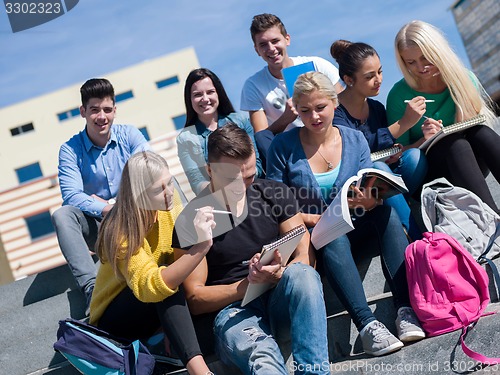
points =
(130, 318)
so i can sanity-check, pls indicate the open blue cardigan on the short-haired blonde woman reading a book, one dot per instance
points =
(287, 163)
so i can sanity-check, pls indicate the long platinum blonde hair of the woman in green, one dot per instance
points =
(469, 96)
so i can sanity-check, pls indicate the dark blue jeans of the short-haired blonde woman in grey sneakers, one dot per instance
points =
(380, 228)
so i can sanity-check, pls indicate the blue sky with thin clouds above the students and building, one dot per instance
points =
(101, 36)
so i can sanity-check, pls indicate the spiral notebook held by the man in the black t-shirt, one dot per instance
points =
(286, 245)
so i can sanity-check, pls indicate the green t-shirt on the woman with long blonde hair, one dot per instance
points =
(443, 108)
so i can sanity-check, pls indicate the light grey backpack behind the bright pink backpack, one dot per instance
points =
(463, 215)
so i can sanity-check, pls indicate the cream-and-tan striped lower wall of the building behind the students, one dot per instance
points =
(21, 252)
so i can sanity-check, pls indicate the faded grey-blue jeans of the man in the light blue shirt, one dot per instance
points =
(77, 234)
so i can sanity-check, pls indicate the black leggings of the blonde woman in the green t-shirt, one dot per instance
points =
(462, 158)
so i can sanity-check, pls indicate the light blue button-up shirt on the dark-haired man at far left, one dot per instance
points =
(86, 169)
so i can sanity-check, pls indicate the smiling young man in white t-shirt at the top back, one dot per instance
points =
(264, 94)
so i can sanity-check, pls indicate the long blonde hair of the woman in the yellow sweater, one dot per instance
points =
(125, 227)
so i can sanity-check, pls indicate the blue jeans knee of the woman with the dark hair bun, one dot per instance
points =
(413, 168)
